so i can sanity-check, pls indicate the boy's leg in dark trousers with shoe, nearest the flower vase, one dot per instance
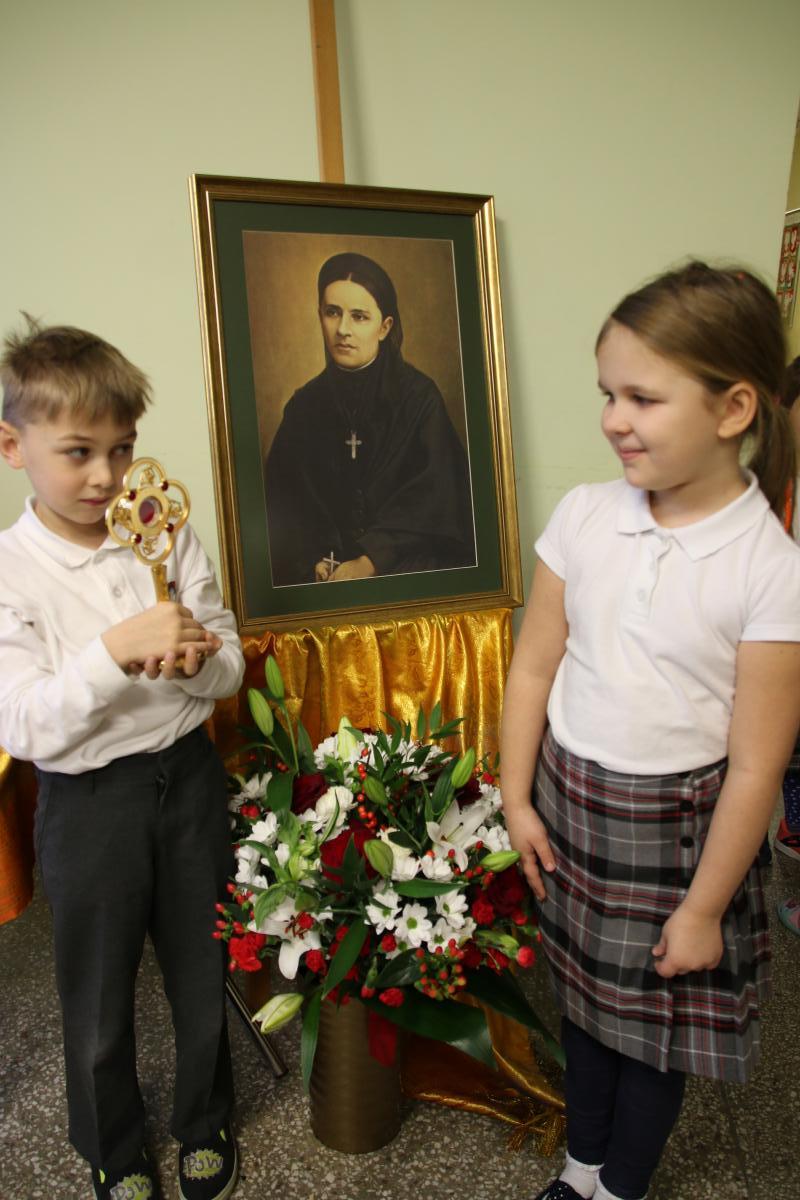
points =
(194, 866)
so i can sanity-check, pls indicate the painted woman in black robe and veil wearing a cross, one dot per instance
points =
(366, 475)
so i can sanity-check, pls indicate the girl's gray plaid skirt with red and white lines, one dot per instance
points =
(627, 848)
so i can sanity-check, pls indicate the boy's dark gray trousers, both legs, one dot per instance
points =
(141, 847)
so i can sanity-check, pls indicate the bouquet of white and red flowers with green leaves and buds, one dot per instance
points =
(377, 867)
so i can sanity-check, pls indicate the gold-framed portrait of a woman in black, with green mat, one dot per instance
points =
(357, 388)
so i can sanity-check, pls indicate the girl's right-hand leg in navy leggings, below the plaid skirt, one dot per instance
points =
(648, 1105)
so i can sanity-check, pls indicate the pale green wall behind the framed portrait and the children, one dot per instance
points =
(616, 137)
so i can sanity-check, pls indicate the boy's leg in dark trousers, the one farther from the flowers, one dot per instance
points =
(101, 904)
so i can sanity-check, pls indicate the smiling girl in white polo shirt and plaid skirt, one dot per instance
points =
(655, 694)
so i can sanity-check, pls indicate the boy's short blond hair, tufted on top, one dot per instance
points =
(46, 371)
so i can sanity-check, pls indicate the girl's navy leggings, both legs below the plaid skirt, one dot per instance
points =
(619, 1112)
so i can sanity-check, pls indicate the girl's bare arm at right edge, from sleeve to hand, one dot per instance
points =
(763, 731)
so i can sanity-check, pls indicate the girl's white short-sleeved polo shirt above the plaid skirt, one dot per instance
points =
(655, 617)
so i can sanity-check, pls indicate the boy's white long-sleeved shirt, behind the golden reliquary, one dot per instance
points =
(64, 703)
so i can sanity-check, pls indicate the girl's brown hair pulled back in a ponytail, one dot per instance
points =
(723, 327)
